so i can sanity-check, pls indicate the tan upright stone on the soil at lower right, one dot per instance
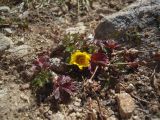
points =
(126, 104)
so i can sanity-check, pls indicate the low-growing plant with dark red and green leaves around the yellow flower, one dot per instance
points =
(98, 64)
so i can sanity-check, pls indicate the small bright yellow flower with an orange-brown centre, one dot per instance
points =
(81, 59)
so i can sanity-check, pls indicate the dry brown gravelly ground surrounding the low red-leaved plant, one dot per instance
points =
(27, 28)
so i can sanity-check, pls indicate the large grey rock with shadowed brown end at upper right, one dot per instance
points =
(141, 13)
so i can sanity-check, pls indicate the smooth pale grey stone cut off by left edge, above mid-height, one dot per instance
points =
(5, 43)
